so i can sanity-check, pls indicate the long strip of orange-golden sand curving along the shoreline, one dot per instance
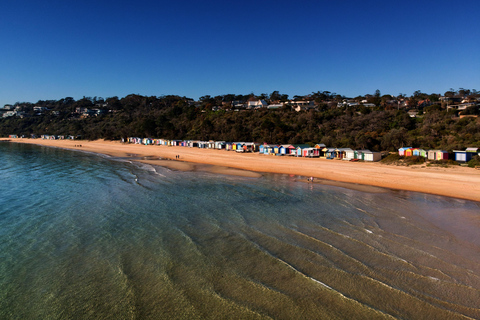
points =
(458, 182)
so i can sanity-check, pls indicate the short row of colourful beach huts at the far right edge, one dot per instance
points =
(461, 156)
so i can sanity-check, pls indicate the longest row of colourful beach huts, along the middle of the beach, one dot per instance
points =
(298, 150)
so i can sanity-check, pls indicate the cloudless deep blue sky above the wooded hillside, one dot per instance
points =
(56, 49)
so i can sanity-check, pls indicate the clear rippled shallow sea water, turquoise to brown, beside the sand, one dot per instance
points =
(90, 237)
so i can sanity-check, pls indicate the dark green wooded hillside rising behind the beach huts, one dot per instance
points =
(173, 117)
